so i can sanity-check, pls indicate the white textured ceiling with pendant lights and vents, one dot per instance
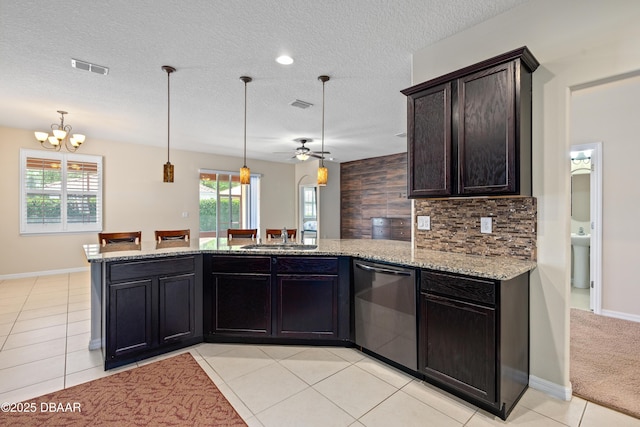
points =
(365, 46)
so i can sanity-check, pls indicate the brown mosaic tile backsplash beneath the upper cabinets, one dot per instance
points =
(455, 226)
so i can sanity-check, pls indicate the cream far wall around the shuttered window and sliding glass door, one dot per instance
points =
(135, 198)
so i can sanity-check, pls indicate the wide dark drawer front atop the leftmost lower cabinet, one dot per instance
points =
(138, 269)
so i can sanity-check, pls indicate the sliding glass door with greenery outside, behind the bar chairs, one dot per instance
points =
(225, 203)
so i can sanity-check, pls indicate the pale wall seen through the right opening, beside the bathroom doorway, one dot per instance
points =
(608, 112)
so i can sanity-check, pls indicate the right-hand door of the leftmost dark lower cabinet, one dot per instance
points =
(177, 319)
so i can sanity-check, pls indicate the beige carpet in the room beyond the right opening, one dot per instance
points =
(605, 361)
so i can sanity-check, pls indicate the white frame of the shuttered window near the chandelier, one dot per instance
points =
(65, 225)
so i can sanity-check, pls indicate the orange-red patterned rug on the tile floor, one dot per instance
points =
(171, 392)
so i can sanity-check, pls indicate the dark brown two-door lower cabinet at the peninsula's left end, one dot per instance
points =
(152, 307)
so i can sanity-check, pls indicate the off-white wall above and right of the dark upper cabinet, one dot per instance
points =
(577, 42)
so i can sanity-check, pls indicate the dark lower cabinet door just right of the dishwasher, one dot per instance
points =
(457, 345)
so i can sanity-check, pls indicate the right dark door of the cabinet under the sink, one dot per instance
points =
(308, 306)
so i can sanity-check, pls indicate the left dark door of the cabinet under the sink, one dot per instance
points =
(241, 304)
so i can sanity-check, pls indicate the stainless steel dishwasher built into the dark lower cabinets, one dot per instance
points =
(385, 311)
